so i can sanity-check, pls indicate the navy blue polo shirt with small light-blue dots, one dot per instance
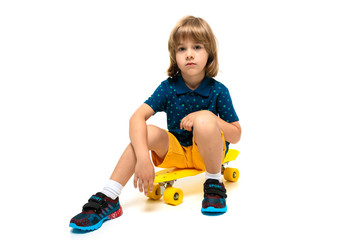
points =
(177, 100)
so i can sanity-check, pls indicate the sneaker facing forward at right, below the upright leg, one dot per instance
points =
(214, 202)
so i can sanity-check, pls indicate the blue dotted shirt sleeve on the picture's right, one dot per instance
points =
(225, 107)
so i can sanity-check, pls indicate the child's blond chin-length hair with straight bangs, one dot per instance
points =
(198, 30)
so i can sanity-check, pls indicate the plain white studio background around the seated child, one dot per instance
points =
(73, 72)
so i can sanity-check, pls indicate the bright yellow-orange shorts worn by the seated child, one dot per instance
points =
(182, 157)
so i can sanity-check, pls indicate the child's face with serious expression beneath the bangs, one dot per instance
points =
(191, 58)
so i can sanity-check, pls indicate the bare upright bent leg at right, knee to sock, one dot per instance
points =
(207, 135)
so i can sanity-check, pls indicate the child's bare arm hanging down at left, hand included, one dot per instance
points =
(144, 171)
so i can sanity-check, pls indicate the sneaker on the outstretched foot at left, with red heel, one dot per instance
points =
(99, 209)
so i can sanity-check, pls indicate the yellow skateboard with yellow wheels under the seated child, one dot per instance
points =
(165, 179)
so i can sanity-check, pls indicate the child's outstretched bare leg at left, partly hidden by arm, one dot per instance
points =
(158, 141)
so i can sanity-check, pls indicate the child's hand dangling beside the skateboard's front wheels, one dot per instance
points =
(144, 176)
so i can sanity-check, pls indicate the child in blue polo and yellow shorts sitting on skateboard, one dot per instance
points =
(201, 122)
